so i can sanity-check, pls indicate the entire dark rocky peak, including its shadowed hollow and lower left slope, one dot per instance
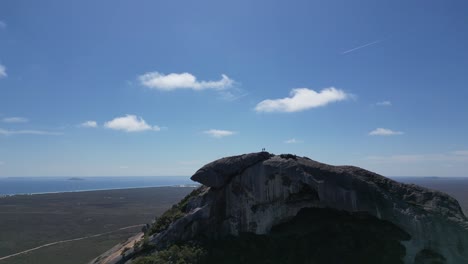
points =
(265, 208)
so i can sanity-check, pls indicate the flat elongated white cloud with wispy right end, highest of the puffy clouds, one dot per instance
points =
(173, 81)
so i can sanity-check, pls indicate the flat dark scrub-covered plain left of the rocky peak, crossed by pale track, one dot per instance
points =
(29, 221)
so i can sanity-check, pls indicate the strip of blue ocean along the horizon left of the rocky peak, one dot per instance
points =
(35, 185)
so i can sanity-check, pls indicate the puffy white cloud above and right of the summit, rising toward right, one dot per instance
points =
(302, 99)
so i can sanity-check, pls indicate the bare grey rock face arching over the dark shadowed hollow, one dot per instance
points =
(259, 192)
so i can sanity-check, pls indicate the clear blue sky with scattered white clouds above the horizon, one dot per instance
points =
(95, 88)
